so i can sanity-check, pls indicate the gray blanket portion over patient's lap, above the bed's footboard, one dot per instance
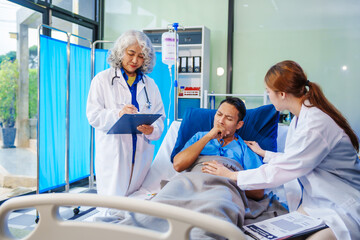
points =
(206, 193)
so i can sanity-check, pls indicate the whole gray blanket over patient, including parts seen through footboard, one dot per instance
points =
(214, 195)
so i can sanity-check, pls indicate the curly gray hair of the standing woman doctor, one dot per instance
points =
(128, 38)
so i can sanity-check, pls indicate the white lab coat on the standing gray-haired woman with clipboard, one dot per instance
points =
(113, 152)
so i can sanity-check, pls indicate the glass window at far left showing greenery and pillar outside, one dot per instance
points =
(18, 99)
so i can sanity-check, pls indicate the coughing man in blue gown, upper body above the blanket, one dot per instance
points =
(222, 140)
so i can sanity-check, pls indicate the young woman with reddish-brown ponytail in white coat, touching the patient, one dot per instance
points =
(320, 151)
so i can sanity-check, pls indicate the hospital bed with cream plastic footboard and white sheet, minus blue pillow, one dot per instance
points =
(181, 220)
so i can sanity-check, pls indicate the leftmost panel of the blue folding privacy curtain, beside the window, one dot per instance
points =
(52, 113)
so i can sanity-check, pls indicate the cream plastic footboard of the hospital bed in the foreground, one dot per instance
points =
(51, 226)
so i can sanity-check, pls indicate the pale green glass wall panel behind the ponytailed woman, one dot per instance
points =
(322, 36)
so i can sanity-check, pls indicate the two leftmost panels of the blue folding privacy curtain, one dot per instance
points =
(52, 113)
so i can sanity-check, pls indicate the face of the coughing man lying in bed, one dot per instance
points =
(227, 116)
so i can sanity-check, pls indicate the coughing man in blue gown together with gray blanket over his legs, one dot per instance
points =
(206, 193)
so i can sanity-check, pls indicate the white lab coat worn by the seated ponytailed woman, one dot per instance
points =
(318, 153)
